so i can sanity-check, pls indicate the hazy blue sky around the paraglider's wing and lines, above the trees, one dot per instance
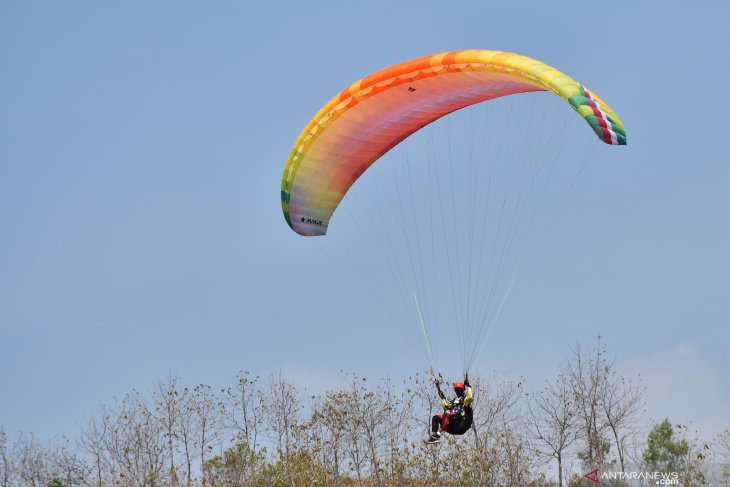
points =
(141, 151)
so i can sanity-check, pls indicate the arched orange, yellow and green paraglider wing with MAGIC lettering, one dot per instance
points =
(374, 114)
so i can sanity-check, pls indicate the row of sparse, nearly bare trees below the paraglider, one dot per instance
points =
(267, 432)
